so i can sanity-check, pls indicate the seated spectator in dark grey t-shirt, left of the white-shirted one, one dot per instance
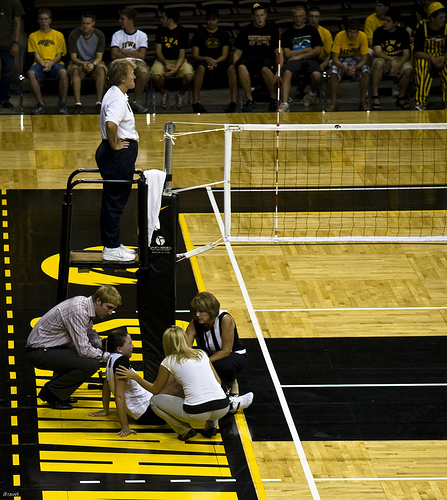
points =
(86, 46)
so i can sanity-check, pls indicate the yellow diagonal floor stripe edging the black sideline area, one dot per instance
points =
(240, 418)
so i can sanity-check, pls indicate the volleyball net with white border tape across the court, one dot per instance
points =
(335, 183)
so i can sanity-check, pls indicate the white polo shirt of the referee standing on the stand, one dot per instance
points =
(115, 108)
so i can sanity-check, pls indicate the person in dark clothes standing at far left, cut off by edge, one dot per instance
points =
(12, 11)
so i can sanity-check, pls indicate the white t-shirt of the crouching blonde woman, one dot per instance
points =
(197, 379)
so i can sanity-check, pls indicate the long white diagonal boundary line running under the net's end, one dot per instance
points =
(284, 406)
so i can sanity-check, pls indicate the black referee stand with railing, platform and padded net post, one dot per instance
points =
(155, 262)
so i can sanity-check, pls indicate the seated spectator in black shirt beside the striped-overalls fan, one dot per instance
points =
(391, 45)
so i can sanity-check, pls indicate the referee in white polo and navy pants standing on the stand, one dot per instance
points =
(116, 156)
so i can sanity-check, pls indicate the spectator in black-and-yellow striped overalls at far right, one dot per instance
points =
(430, 55)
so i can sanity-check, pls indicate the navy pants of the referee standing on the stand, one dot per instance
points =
(119, 165)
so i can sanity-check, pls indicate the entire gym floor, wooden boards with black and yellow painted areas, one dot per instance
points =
(346, 342)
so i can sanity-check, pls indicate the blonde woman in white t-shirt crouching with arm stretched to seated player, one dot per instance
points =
(204, 401)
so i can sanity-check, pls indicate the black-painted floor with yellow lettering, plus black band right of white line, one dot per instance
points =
(337, 389)
